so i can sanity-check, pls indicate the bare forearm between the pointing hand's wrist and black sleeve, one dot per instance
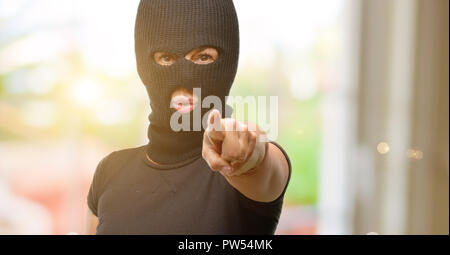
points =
(266, 182)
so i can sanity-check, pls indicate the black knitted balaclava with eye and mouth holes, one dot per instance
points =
(177, 27)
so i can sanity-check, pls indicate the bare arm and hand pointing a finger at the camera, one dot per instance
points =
(258, 173)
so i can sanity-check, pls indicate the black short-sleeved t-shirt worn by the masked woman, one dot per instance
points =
(130, 195)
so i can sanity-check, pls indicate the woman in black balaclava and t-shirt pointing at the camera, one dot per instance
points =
(210, 181)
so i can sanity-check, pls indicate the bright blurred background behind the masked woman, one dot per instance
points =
(363, 108)
